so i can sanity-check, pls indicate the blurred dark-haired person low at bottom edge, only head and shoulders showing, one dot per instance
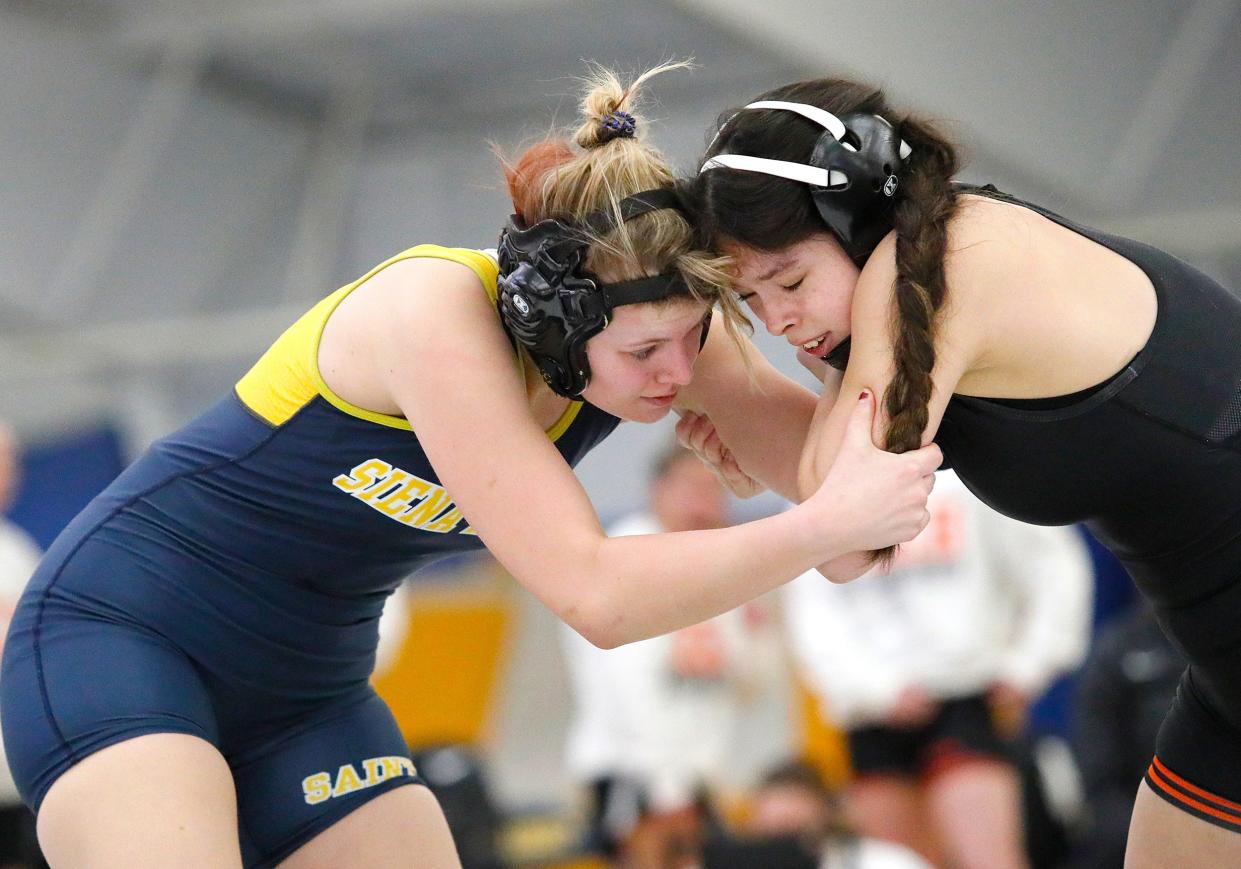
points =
(796, 822)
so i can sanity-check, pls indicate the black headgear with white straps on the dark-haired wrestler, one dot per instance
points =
(854, 172)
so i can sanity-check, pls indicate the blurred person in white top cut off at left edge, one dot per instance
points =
(19, 556)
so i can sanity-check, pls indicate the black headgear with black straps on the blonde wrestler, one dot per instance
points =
(552, 306)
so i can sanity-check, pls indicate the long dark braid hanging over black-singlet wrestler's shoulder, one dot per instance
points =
(921, 219)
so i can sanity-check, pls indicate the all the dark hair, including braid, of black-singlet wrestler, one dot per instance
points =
(770, 214)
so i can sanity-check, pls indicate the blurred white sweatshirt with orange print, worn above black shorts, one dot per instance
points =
(976, 599)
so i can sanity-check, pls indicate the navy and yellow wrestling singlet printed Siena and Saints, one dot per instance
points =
(229, 585)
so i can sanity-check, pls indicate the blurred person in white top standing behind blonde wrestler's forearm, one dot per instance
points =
(653, 721)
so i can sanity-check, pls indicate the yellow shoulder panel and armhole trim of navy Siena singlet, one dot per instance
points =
(287, 377)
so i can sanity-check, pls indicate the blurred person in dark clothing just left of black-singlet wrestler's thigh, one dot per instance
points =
(1124, 695)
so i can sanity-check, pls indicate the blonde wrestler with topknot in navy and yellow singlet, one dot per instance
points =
(187, 680)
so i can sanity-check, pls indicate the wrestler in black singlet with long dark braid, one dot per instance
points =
(1068, 376)
